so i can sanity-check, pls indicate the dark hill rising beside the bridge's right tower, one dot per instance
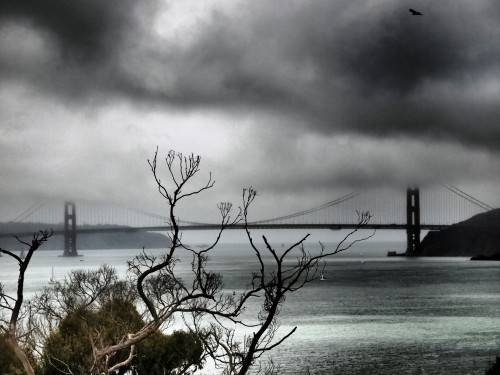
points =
(479, 235)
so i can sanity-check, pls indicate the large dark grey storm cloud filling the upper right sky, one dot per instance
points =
(360, 66)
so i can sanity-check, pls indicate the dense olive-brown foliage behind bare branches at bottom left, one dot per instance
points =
(69, 348)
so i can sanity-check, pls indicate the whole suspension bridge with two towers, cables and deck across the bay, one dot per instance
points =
(414, 210)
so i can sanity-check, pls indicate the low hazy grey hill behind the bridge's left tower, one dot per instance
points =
(122, 240)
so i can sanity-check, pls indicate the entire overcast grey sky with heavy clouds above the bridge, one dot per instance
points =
(304, 100)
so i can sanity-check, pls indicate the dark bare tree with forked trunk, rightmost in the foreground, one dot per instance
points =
(288, 271)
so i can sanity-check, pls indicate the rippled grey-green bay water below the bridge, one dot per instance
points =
(373, 315)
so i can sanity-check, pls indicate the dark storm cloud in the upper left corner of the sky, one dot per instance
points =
(80, 43)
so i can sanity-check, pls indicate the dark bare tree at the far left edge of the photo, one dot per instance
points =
(9, 322)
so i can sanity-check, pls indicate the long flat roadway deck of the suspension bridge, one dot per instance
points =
(126, 229)
